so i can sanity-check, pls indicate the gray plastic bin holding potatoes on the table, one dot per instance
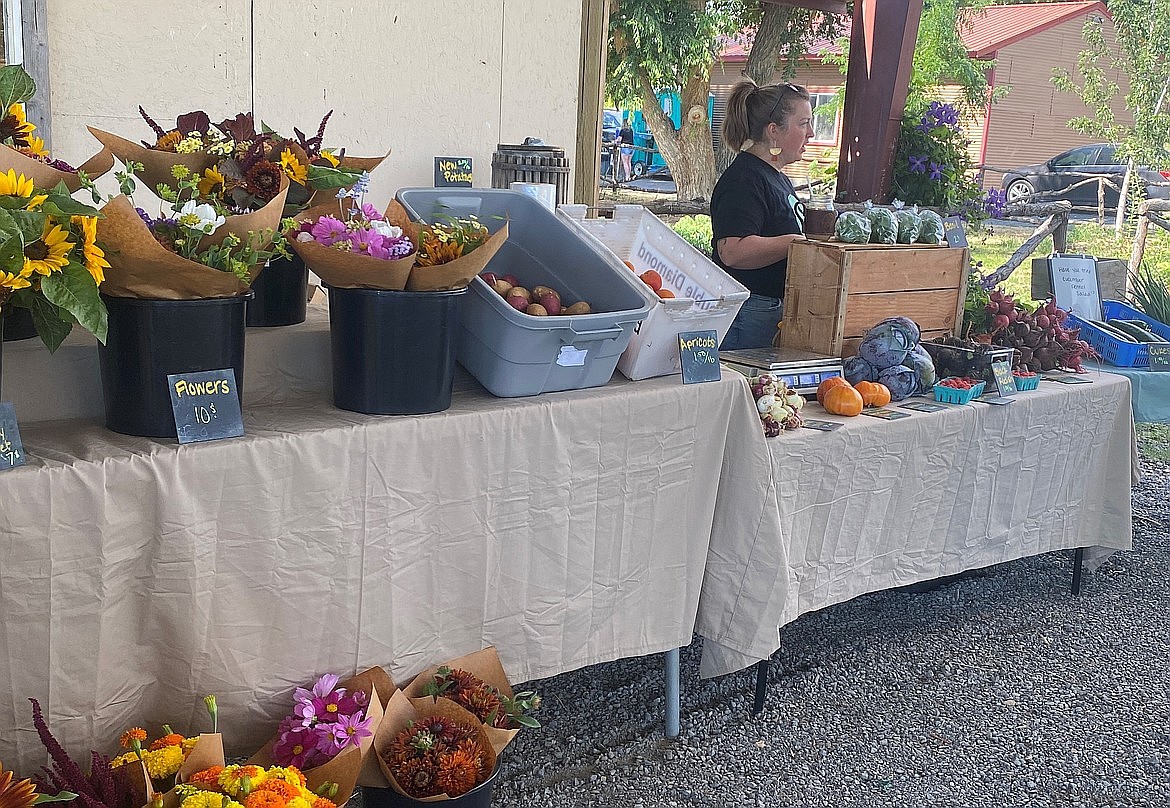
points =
(513, 354)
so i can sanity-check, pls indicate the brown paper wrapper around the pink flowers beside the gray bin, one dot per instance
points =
(350, 271)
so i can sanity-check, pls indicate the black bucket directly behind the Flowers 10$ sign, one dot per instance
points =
(150, 340)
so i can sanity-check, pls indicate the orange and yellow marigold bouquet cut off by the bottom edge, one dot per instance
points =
(242, 786)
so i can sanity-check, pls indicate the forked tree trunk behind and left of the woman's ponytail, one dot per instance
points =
(687, 151)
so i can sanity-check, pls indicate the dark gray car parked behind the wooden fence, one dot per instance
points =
(1052, 179)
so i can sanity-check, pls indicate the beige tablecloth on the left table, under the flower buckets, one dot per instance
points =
(567, 529)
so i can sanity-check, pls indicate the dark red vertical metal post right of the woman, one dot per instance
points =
(882, 50)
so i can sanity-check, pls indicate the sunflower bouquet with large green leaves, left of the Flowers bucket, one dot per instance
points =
(51, 263)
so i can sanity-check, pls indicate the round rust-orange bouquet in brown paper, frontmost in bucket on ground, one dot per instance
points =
(432, 751)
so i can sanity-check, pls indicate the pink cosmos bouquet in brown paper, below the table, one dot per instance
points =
(329, 735)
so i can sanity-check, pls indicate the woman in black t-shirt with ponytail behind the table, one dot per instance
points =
(755, 211)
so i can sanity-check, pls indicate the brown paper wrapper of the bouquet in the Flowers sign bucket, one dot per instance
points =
(141, 267)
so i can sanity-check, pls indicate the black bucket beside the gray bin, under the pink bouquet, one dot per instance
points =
(394, 351)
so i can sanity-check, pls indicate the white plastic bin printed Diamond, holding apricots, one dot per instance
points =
(706, 298)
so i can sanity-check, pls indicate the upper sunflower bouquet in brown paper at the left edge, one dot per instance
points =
(24, 153)
